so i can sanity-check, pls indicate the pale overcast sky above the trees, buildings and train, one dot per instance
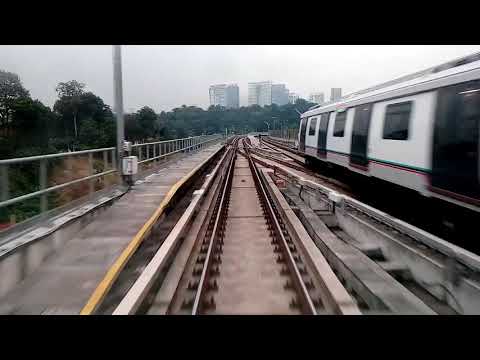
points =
(164, 77)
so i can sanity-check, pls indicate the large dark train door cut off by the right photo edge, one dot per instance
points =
(455, 159)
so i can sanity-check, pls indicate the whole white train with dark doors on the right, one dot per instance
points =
(420, 132)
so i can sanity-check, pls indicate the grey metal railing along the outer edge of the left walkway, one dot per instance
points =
(146, 152)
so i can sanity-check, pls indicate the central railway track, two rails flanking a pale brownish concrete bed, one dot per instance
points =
(247, 263)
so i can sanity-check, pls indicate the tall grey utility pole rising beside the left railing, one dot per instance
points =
(118, 102)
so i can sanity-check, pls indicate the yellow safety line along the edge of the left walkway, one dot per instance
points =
(112, 274)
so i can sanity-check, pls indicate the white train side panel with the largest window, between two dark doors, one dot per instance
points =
(399, 146)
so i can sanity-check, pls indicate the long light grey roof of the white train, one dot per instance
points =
(453, 72)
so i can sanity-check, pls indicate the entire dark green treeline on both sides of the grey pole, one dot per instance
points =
(80, 120)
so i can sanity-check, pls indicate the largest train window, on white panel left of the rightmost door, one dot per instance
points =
(397, 119)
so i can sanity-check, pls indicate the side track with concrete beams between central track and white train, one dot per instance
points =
(415, 269)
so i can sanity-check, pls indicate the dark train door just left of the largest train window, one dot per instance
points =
(361, 126)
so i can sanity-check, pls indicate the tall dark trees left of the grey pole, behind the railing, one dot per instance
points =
(79, 120)
